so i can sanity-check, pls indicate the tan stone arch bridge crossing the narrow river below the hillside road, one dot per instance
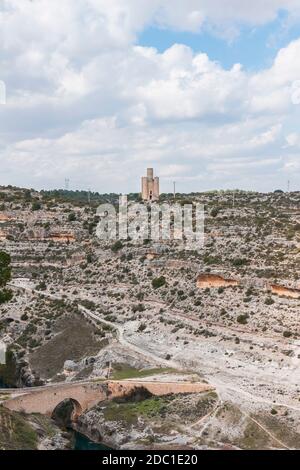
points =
(86, 395)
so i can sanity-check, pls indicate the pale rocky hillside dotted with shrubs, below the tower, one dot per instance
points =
(243, 339)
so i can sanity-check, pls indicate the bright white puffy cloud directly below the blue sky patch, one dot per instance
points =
(188, 86)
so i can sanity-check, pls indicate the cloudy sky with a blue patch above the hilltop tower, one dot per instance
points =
(205, 91)
